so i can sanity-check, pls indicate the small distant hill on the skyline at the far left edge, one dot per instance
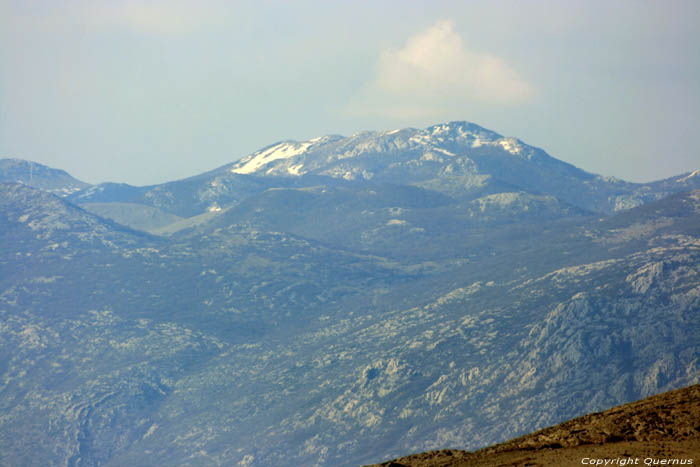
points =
(39, 176)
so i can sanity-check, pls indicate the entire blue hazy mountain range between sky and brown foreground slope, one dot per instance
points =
(337, 301)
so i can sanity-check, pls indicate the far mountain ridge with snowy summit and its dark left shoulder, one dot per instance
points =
(460, 160)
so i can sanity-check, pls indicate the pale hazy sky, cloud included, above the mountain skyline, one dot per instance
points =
(144, 92)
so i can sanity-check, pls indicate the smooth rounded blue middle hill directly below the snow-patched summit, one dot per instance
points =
(398, 221)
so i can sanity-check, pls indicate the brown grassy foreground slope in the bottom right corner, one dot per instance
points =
(660, 430)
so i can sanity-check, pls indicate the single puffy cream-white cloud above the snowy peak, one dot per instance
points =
(434, 70)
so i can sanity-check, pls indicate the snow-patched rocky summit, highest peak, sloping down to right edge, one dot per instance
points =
(460, 159)
